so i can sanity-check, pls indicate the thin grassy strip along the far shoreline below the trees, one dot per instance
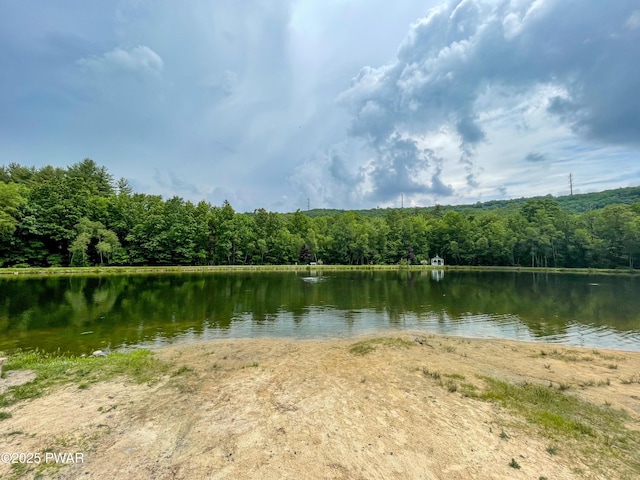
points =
(99, 271)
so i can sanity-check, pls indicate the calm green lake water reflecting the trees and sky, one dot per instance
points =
(79, 314)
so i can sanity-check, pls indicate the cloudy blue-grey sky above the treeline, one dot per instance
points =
(349, 104)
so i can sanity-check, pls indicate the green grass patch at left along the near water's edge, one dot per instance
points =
(53, 369)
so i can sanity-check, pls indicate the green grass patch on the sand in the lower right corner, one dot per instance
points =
(597, 431)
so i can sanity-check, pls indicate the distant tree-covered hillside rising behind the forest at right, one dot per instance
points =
(578, 203)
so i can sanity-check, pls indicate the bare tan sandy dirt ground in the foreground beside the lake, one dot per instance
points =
(284, 409)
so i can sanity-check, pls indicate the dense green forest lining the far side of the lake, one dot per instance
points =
(81, 216)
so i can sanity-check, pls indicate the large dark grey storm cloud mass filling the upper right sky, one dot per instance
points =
(464, 52)
